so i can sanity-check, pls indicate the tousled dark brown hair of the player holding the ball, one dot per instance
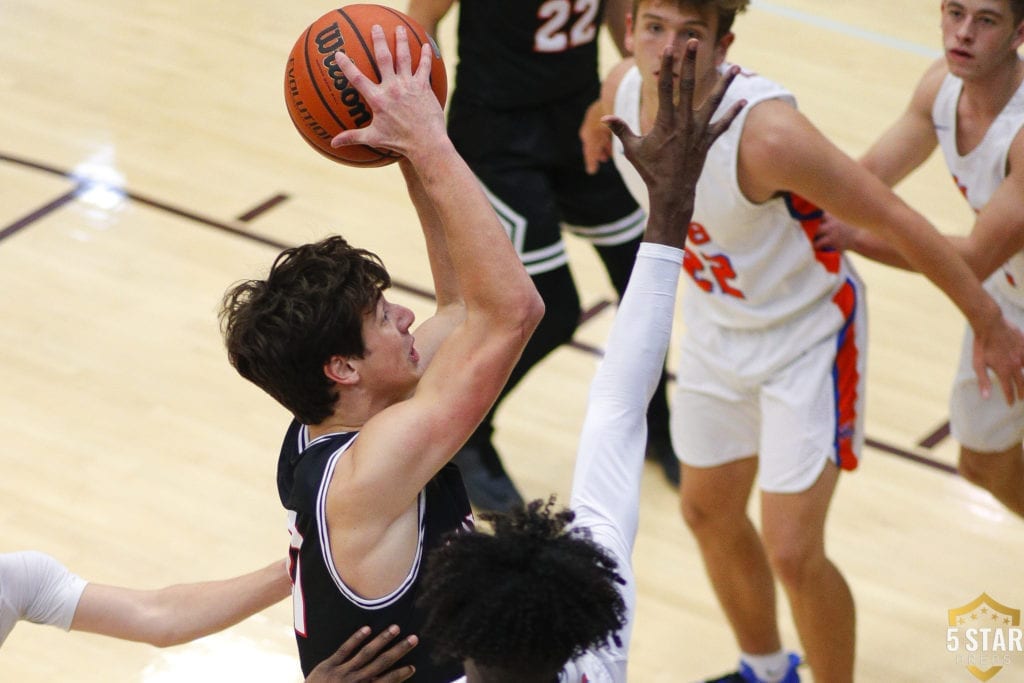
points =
(281, 331)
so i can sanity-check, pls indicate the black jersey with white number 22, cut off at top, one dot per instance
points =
(516, 54)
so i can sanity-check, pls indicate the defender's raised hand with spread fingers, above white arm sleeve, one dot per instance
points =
(671, 157)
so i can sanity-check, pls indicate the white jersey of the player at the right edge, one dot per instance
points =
(982, 172)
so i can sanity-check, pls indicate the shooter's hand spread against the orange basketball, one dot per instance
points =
(407, 115)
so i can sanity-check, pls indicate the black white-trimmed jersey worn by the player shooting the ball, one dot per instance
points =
(327, 612)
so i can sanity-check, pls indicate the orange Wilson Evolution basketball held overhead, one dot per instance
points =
(321, 101)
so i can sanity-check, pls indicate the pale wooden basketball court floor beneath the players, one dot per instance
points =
(147, 162)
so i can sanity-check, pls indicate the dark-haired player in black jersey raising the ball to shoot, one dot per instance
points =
(385, 411)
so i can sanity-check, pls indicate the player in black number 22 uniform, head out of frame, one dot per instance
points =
(526, 77)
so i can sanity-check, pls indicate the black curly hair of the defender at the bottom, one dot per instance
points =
(525, 601)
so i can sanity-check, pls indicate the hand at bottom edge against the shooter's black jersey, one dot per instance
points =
(353, 664)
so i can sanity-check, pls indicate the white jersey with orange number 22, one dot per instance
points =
(754, 266)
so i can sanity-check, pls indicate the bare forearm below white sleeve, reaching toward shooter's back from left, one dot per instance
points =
(180, 614)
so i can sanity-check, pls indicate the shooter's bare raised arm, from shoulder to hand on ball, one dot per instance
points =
(404, 446)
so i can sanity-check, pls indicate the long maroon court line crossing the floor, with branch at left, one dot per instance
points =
(221, 226)
